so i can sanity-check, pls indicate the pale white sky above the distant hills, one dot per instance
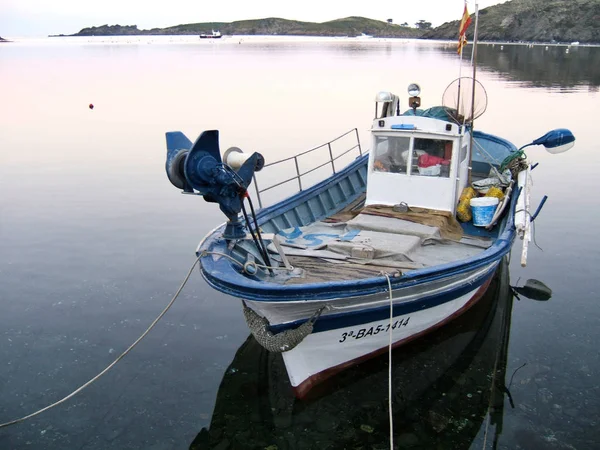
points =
(43, 17)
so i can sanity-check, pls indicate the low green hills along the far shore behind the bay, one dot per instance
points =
(516, 20)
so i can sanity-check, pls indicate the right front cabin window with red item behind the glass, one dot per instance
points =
(431, 157)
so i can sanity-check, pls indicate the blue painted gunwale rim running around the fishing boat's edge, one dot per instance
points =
(223, 276)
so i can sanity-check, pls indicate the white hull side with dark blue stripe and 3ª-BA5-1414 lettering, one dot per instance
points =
(351, 330)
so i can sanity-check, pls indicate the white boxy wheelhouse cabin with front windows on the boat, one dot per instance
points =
(420, 161)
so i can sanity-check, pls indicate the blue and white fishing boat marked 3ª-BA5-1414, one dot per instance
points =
(372, 256)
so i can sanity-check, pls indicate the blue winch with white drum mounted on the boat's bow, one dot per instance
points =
(199, 169)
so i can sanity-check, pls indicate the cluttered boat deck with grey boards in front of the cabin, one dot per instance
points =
(362, 242)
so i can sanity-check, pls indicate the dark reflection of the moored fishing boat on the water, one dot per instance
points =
(444, 388)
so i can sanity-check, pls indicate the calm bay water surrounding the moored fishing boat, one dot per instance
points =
(94, 241)
